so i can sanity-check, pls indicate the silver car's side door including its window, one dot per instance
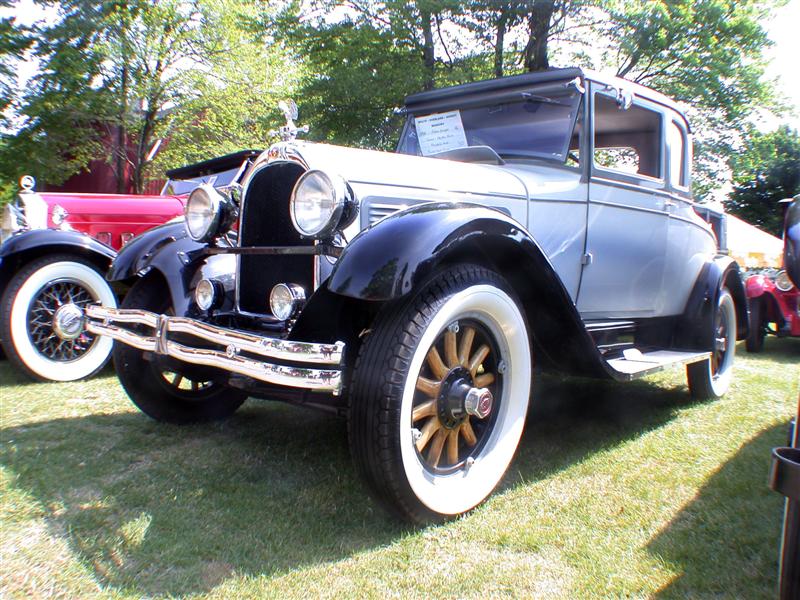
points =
(627, 213)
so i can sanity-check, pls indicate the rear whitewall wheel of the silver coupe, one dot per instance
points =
(711, 378)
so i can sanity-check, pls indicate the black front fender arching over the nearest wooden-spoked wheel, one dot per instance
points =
(395, 256)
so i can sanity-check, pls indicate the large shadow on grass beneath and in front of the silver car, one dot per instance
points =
(161, 510)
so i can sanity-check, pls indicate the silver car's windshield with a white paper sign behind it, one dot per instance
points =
(529, 126)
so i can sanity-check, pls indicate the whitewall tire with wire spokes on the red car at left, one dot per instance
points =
(29, 304)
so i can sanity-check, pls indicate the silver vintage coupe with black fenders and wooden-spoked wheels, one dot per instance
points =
(542, 220)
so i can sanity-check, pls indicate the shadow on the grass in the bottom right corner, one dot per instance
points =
(727, 539)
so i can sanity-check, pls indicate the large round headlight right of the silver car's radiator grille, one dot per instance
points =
(317, 204)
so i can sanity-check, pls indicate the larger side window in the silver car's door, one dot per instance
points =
(627, 141)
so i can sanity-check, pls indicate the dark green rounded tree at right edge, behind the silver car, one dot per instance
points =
(765, 171)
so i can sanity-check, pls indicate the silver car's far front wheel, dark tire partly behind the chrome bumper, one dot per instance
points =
(168, 393)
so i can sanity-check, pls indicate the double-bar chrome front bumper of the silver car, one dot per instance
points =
(109, 322)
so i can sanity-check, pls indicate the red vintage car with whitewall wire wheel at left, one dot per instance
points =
(55, 251)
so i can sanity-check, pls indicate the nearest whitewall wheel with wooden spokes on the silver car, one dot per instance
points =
(421, 455)
